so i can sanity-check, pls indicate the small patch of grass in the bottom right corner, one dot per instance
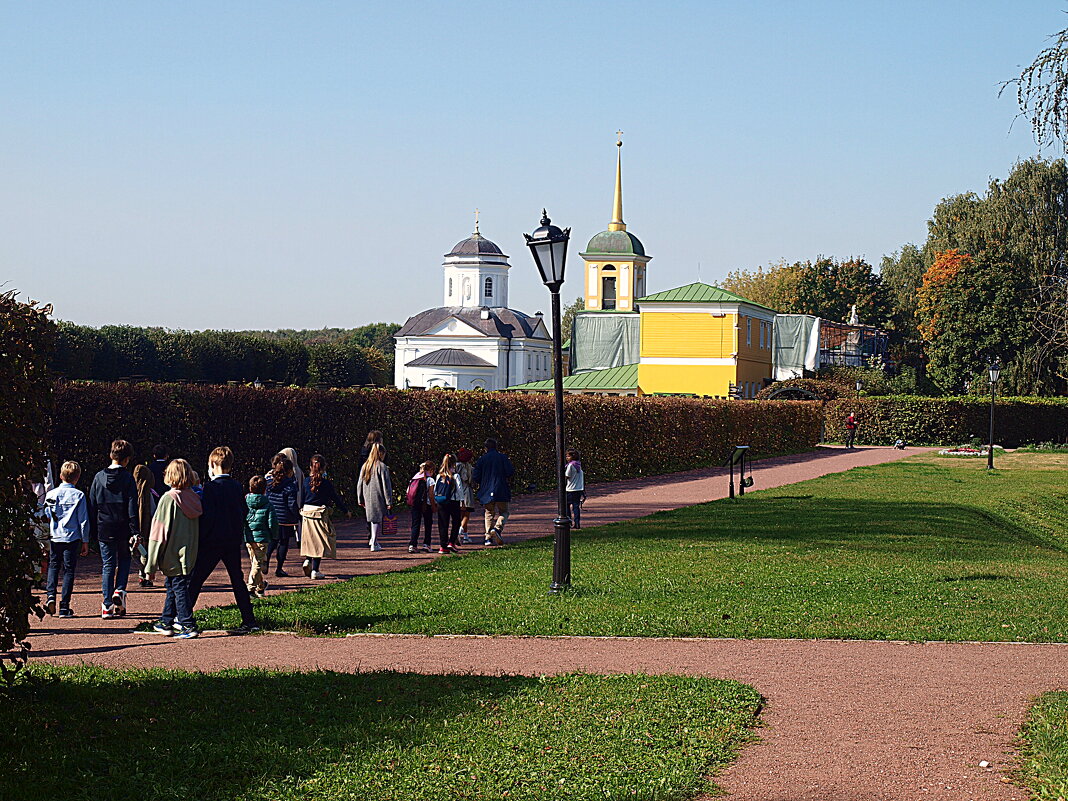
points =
(1045, 748)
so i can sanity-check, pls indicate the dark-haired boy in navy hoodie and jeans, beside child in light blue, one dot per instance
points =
(114, 524)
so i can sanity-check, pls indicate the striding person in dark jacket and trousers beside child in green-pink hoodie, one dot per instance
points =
(223, 536)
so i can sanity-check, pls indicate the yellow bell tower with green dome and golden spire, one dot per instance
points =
(616, 260)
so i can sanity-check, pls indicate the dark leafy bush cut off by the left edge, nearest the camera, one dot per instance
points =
(27, 337)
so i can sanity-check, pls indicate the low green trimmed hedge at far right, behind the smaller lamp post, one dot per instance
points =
(949, 421)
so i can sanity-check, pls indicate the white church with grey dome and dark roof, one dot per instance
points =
(474, 341)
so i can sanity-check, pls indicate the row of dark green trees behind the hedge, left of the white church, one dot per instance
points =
(347, 358)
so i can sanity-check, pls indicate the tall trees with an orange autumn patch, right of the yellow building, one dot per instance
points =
(990, 282)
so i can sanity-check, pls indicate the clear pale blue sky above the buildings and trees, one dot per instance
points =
(270, 165)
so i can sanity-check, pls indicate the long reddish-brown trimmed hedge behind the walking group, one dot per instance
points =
(619, 437)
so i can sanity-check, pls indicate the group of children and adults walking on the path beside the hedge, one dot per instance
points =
(186, 528)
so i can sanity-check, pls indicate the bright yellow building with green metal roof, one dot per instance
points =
(704, 341)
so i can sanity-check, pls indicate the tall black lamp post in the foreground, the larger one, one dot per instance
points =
(549, 248)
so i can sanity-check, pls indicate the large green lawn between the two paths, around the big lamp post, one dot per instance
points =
(921, 549)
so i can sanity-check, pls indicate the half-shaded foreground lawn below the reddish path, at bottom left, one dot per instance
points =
(89, 733)
